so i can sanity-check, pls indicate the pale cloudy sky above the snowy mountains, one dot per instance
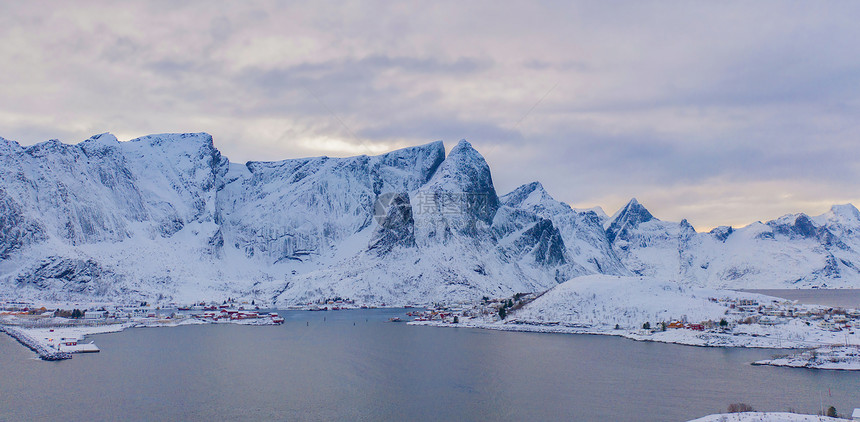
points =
(718, 112)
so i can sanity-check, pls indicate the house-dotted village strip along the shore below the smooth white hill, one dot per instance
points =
(758, 323)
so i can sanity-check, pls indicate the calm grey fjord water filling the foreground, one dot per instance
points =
(355, 366)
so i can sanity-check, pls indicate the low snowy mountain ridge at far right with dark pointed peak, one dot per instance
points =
(792, 251)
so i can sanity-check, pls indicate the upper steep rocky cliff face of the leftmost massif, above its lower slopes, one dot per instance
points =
(98, 190)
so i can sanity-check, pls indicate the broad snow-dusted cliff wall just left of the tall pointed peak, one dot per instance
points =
(303, 208)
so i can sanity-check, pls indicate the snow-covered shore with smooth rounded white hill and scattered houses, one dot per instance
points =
(672, 313)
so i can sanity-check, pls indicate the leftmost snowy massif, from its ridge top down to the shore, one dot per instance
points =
(108, 202)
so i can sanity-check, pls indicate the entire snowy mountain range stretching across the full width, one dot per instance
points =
(167, 217)
